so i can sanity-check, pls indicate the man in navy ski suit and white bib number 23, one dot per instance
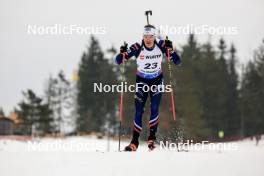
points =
(149, 54)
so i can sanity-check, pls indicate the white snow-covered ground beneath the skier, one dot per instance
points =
(87, 156)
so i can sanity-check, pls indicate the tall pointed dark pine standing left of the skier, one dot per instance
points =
(93, 106)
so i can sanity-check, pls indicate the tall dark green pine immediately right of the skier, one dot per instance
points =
(188, 91)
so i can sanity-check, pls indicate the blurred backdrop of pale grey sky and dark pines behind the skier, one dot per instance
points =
(47, 79)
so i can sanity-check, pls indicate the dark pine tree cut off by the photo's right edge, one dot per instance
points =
(252, 95)
